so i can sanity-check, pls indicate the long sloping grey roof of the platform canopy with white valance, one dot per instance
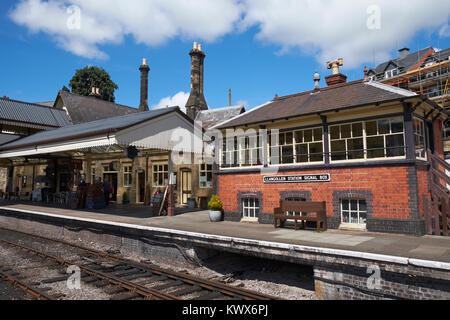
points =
(89, 128)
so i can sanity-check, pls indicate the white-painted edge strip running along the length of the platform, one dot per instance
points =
(353, 254)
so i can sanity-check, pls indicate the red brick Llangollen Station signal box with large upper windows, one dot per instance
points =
(361, 146)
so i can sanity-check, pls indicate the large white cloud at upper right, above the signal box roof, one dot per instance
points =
(339, 29)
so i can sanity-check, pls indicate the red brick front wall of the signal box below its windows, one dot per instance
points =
(389, 186)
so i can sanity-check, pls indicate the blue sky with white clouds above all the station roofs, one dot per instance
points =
(253, 49)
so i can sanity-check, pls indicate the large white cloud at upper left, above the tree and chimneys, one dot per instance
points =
(151, 22)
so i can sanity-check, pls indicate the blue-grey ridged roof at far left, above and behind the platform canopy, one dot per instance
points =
(31, 115)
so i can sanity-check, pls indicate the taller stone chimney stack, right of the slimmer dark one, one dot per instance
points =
(196, 101)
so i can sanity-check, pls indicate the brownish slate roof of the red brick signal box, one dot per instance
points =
(347, 95)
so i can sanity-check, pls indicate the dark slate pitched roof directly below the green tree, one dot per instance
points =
(84, 109)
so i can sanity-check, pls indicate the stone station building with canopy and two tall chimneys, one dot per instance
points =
(88, 144)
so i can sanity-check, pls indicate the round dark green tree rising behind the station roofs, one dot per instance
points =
(89, 77)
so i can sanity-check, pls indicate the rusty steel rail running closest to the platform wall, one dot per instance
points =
(209, 285)
